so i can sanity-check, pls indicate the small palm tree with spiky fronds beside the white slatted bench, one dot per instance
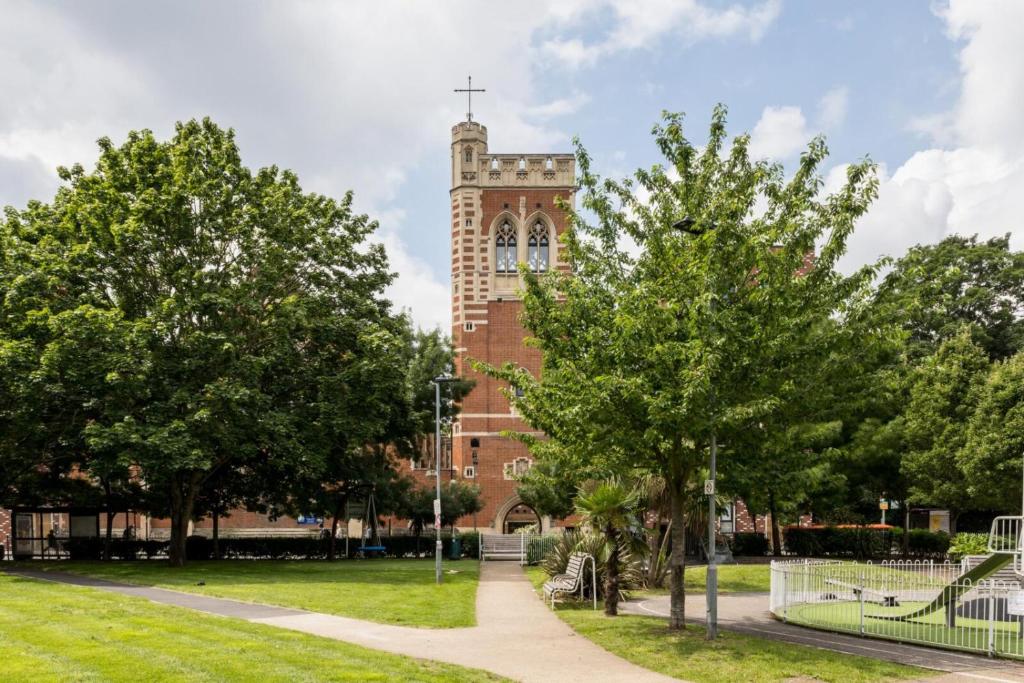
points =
(610, 509)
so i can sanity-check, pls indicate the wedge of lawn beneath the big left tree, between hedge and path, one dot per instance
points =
(401, 592)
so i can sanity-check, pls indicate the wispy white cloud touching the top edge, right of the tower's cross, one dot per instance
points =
(642, 24)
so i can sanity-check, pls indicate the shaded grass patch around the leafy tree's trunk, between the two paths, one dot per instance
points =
(648, 643)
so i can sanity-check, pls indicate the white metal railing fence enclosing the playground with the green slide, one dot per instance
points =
(913, 602)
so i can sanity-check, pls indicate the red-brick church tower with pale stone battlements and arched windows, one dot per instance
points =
(503, 214)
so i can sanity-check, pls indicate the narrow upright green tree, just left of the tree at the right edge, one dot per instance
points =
(944, 395)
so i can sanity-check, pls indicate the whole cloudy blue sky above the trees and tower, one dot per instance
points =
(359, 96)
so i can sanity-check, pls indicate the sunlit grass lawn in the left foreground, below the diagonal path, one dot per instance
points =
(51, 632)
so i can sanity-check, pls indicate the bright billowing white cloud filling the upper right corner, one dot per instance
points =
(974, 182)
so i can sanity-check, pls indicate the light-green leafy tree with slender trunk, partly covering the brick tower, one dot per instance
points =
(650, 358)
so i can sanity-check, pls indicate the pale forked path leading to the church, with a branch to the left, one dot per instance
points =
(518, 636)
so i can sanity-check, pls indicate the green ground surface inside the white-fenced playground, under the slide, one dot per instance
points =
(969, 634)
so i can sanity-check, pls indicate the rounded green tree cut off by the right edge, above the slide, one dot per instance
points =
(991, 459)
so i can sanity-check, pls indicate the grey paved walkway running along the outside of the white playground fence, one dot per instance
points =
(748, 613)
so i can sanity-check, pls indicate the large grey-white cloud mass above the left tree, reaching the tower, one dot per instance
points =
(337, 93)
